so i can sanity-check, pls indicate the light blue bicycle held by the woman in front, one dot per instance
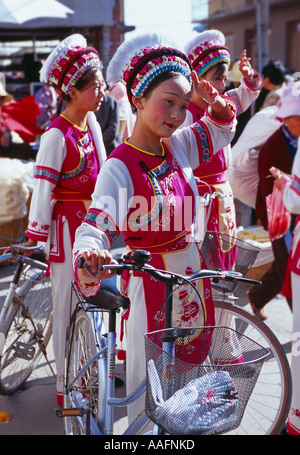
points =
(90, 355)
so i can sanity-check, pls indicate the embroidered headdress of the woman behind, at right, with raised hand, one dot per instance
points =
(206, 50)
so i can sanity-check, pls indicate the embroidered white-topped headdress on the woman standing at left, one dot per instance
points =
(68, 62)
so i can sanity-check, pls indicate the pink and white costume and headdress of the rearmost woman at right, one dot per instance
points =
(205, 51)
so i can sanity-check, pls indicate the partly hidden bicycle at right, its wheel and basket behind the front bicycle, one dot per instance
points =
(268, 411)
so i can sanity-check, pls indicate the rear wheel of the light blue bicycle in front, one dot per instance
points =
(85, 373)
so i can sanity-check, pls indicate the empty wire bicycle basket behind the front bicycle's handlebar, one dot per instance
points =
(222, 251)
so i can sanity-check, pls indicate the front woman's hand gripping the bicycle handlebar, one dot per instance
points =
(94, 259)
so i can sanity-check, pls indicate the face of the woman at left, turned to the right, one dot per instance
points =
(91, 96)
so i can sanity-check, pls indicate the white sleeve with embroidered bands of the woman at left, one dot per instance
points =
(48, 165)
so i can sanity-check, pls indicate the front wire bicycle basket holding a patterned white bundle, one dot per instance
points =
(208, 396)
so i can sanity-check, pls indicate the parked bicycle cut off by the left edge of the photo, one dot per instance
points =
(25, 318)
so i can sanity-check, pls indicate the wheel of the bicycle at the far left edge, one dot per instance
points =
(27, 332)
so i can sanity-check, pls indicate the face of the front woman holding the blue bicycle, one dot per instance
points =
(163, 110)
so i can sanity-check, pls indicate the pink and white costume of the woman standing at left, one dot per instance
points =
(67, 166)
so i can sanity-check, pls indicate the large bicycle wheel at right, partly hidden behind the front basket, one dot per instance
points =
(269, 404)
